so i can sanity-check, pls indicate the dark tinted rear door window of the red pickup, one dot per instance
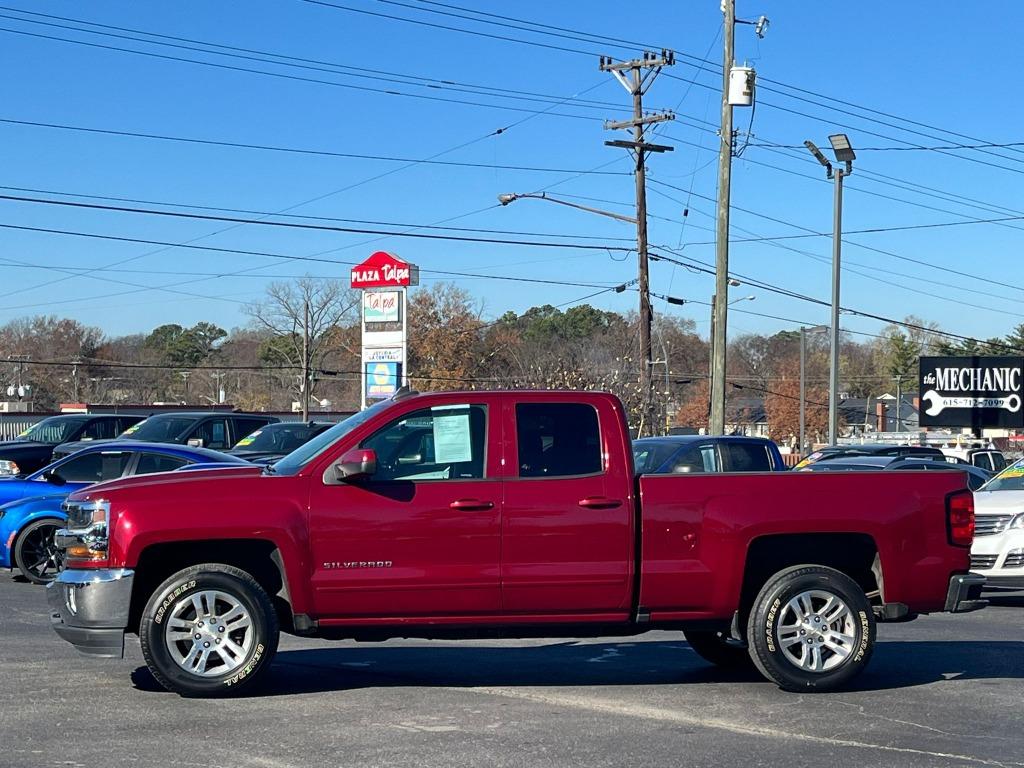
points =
(558, 440)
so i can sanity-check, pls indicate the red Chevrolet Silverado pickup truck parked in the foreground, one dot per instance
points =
(505, 515)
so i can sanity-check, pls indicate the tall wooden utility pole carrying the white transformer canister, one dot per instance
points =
(717, 421)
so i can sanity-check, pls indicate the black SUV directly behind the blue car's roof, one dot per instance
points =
(205, 430)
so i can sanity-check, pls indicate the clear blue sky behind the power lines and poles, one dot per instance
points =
(913, 61)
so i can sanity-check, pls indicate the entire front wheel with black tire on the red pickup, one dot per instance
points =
(175, 629)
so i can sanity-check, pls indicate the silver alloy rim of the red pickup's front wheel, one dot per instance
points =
(209, 634)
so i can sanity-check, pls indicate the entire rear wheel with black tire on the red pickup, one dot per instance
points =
(777, 629)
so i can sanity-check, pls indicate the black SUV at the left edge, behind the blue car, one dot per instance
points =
(35, 447)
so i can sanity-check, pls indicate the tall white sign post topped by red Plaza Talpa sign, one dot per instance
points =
(385, 280)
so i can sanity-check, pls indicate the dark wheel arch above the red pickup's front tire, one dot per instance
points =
(260, 558)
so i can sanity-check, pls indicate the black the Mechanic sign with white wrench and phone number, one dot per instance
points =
(972, 393)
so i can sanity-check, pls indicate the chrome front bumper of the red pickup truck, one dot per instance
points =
(90, 610)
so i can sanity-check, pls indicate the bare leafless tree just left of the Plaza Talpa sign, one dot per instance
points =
(307, 321)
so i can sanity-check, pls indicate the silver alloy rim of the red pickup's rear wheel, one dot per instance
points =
(817, 631)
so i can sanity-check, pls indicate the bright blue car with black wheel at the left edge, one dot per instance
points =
(31, 507)
